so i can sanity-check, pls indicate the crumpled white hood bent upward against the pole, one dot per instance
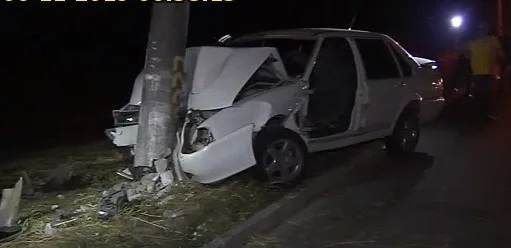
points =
(217, 74)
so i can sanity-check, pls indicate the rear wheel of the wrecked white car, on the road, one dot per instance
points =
(407, 124)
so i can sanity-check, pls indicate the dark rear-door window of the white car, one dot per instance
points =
(377, 59)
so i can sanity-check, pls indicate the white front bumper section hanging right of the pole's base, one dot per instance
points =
(221, 158)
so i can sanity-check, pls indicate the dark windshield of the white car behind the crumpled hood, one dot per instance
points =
(295, 53)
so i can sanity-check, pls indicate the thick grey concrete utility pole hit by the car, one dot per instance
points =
(163, 74)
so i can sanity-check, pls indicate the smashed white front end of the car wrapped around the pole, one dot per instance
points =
(233, 93)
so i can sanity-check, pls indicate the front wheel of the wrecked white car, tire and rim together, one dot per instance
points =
(281, 156)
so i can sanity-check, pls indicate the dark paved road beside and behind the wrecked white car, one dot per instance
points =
(455, 192)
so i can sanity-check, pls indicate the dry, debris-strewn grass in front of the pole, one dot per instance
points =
(191, 216)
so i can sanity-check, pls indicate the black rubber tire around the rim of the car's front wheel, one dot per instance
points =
(270, 136)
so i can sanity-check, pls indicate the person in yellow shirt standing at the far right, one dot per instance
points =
(484, 52)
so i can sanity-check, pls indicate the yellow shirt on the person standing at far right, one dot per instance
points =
(483, 54)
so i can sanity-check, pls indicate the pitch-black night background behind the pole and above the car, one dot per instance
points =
(65, 66)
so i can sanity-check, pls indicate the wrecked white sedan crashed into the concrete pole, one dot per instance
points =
(267, 99)
